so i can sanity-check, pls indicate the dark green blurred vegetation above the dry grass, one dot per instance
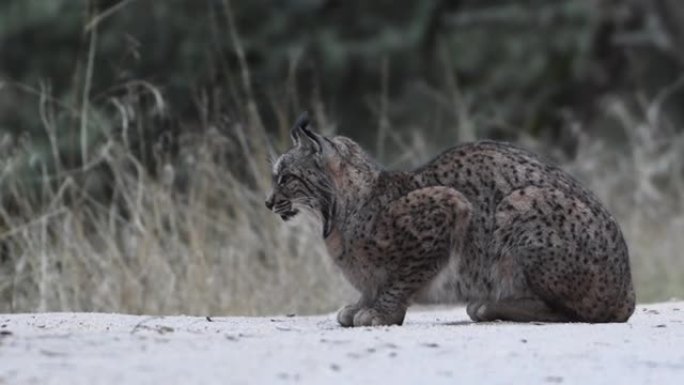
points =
(530, 65)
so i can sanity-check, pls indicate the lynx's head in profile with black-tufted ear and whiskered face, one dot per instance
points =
(302, 177)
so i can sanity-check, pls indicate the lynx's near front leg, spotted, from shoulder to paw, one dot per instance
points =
(415, 238)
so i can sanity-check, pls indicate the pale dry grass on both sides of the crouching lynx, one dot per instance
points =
(211, 247)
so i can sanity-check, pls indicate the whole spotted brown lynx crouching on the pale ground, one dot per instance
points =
(516, 238)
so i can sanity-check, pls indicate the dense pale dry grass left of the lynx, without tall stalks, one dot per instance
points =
(212, 249)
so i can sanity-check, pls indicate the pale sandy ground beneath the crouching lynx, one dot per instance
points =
(433, 347)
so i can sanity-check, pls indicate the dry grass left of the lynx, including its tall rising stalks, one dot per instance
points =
(191, 236)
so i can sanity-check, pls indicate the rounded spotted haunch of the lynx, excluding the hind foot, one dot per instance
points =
(572, 255)
